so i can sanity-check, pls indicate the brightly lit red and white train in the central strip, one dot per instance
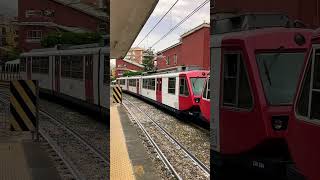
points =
(178, 91)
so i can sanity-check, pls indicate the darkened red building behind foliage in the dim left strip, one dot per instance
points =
(37, 19)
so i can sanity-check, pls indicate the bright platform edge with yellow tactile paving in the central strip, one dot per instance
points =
(128, 156)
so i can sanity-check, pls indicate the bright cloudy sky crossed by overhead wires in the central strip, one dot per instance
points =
(179, 12)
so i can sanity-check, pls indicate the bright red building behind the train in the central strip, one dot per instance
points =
(192, 50)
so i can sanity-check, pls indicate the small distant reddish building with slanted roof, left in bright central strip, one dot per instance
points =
(123, 65)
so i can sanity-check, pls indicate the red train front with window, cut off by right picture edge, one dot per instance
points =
(304, 128)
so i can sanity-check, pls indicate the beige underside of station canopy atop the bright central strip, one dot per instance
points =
(127, 19)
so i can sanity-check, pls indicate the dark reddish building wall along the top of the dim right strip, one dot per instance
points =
(306, 11)
